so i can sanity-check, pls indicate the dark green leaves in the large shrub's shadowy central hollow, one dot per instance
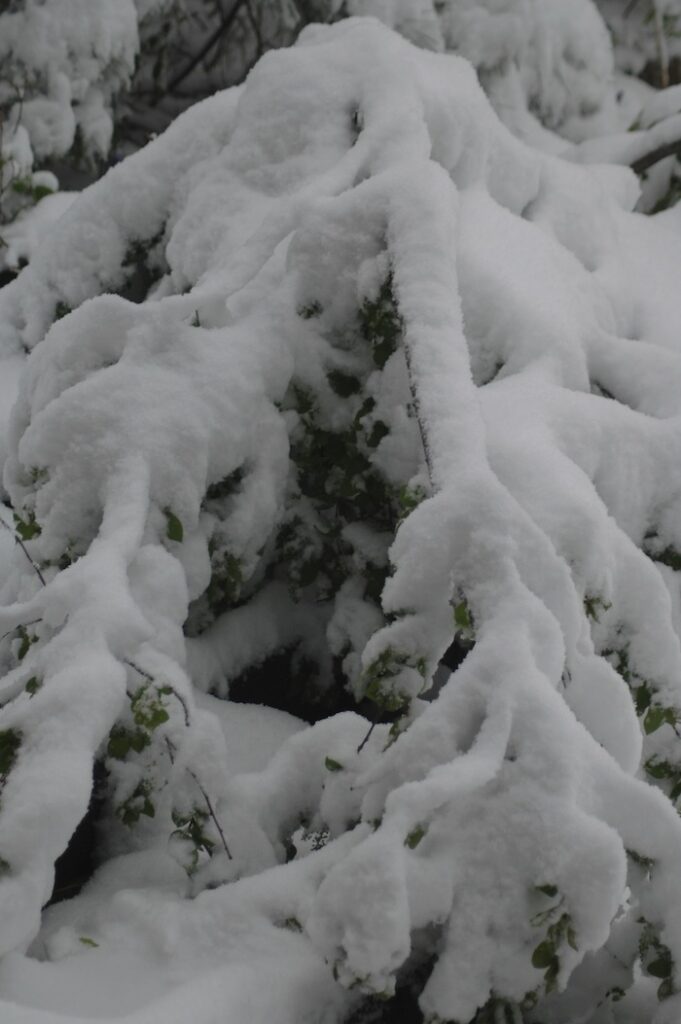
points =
(335, 482)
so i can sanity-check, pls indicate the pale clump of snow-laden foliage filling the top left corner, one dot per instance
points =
(62, 63)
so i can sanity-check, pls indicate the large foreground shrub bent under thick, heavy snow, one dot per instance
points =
(391, 378)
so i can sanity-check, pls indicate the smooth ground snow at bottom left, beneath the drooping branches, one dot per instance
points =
(136, 913)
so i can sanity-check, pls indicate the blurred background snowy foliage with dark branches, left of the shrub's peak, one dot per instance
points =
(80, 77)
